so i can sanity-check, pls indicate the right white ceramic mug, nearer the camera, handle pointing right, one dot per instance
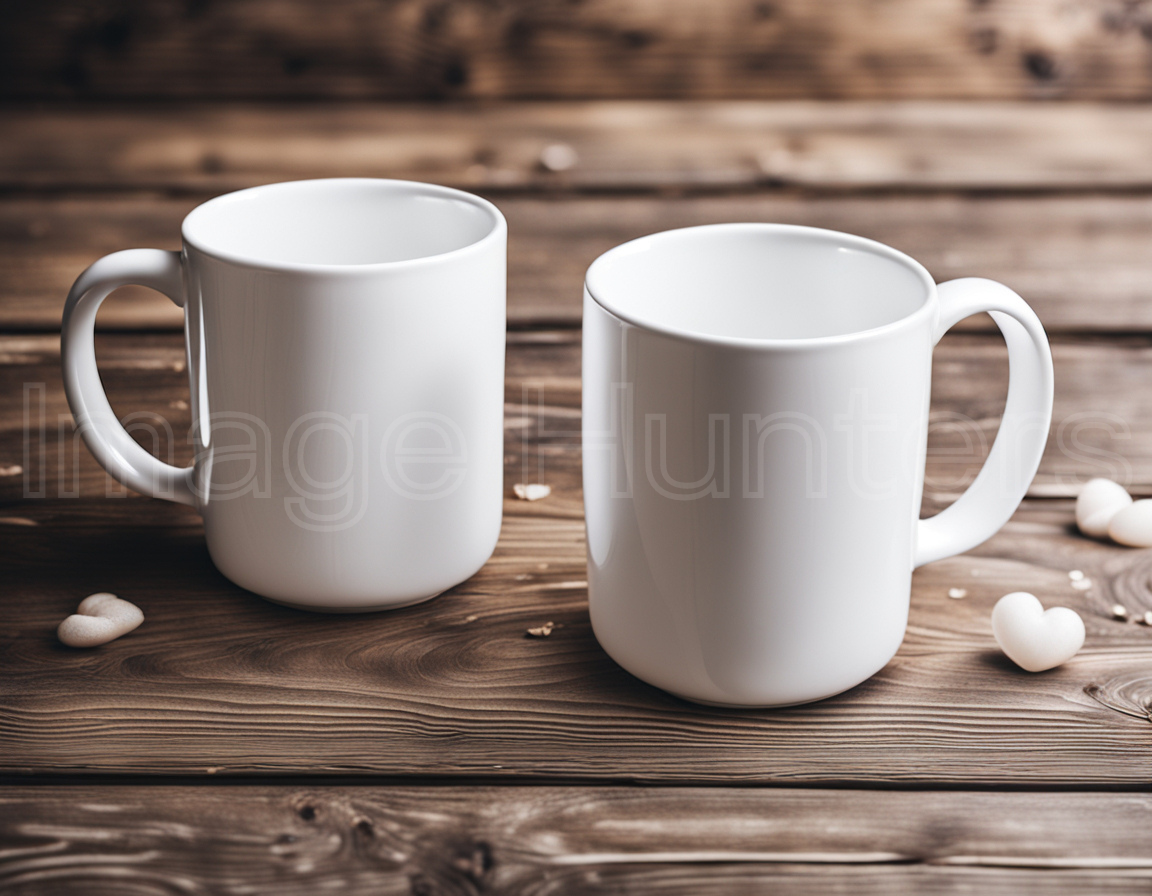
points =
(756, 411)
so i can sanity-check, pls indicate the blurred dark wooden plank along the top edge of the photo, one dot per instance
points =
(355, 49)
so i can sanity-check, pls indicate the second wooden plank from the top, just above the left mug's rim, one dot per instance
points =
(604, 146)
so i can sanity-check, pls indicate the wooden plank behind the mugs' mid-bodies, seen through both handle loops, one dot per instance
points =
(1100, 424)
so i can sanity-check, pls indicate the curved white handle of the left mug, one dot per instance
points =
(105, 437)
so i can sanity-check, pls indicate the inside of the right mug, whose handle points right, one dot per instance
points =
(759, 282)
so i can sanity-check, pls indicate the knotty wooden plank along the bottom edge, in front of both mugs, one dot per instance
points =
(573, 840)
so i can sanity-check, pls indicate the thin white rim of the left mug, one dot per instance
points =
(499, 227)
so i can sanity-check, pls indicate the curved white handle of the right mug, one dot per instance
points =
(1002, 484)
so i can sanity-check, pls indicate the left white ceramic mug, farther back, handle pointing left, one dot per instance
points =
(346, 344)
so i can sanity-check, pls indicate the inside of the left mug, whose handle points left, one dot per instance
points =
(340, 222)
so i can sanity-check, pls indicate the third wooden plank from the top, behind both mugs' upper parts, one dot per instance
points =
(1085, 262)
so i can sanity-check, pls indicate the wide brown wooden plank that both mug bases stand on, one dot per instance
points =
(218, 682)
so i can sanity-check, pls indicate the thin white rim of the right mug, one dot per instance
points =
(838, 238)
